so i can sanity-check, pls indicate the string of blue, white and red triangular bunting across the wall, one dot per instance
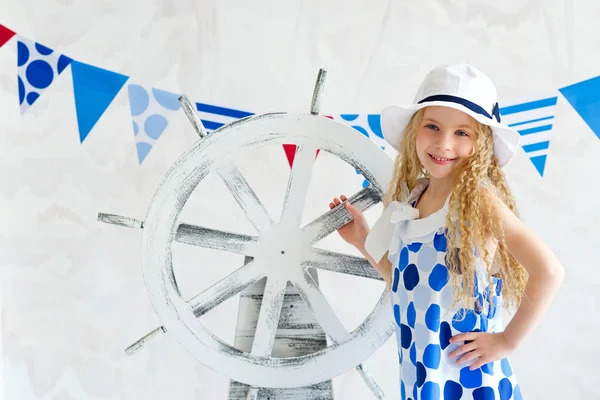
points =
(95, 89)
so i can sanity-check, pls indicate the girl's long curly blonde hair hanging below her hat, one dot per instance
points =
(465, 201)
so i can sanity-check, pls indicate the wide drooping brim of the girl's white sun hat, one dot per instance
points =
(394, 119)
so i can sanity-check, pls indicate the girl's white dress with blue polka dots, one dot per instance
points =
(421, 296)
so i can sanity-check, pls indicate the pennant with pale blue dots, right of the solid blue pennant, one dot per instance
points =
(151, 109)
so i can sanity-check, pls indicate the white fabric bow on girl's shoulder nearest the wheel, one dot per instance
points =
(380, 238)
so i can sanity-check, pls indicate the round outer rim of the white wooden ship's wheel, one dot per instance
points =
(161, 228)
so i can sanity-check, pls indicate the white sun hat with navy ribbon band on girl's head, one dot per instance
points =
(462, 87)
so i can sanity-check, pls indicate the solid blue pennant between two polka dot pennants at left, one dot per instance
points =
(94, 89)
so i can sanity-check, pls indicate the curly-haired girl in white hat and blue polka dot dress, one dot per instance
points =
(453, 243)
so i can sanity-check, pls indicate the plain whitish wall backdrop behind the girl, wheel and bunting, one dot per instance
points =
(72, 291)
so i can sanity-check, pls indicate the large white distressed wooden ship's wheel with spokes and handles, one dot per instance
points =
(282, 252)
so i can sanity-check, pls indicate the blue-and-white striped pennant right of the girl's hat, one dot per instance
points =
(533, 119)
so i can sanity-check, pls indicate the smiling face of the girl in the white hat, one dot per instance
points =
(445, 138)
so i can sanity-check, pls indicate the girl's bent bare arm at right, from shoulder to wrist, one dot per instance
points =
(546, 274)
